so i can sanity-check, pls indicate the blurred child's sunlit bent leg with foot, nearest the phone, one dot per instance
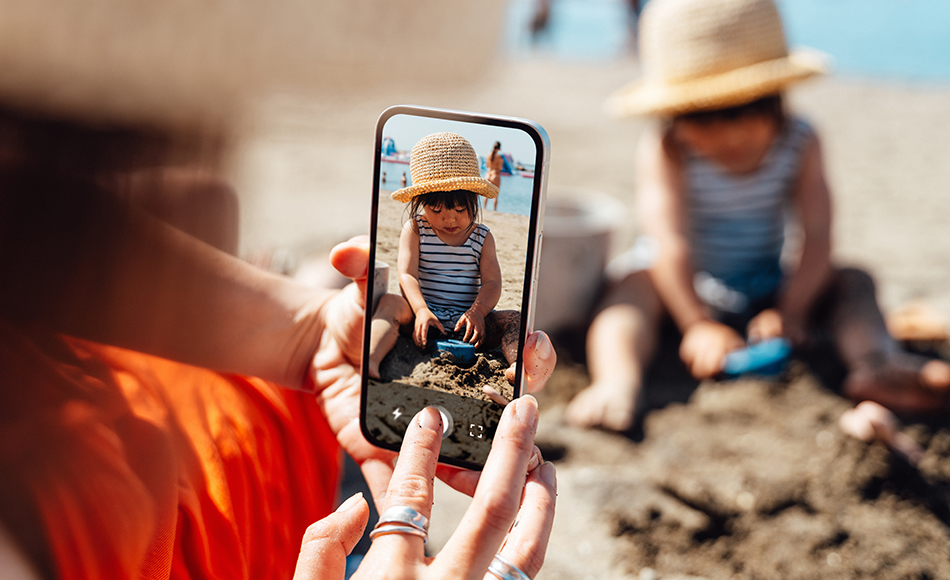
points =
(621, 342)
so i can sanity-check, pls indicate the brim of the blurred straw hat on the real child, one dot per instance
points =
(728, 89)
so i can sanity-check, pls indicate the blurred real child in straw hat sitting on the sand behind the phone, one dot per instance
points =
(716, 177)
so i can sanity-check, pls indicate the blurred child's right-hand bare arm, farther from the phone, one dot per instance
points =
(813, 202)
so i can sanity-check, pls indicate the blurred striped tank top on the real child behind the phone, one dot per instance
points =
(737, 222)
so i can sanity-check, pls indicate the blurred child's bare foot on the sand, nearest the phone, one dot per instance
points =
(611, 406)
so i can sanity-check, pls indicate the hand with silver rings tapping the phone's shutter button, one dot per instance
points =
(511, 514)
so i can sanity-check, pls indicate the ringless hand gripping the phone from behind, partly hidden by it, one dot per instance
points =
(335, 372)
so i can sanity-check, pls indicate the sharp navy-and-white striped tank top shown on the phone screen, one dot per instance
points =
(450, 276)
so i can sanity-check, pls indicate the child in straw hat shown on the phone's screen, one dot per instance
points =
(448, 269)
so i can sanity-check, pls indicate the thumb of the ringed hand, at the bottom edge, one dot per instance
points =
(327, 542)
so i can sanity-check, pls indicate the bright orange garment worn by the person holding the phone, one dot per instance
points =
(115, 464)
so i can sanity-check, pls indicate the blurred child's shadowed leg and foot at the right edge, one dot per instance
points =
(878, 369)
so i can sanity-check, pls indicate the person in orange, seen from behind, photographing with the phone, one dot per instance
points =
(171, 411)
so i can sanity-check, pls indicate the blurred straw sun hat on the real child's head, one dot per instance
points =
(711, 54)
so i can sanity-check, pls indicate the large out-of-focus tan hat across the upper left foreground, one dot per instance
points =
(195, 62)
